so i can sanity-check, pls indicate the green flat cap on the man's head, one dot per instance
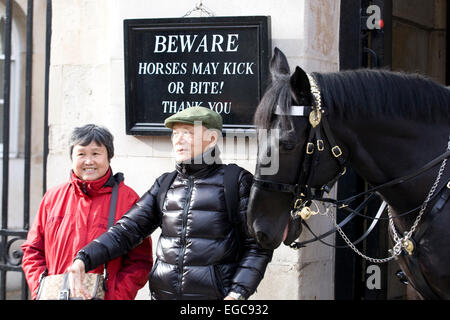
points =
(209, 118)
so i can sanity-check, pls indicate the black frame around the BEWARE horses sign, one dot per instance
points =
(262, 23)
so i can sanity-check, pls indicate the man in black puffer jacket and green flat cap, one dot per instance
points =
(201, 254)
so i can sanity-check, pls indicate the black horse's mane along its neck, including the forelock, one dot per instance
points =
(370, 93)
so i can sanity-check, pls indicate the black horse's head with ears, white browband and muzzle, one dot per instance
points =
(284, 130)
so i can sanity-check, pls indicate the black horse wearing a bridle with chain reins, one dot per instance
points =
(391, 128)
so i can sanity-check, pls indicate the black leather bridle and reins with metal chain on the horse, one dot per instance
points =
(304, 194)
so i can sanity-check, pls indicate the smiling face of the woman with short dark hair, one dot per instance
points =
(90, 162)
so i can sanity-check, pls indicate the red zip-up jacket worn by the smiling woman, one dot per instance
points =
(72, 215)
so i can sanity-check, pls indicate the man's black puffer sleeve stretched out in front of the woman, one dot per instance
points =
(129, 231)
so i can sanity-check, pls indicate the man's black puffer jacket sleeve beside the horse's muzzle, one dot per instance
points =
(254, 259)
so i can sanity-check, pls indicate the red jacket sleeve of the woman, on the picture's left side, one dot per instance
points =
(33, 259)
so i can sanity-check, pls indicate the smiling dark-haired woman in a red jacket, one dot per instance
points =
(76, 212)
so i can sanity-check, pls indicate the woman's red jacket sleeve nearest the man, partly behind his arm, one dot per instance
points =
(135, 267)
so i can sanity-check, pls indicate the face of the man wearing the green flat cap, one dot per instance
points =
(190, 141)
